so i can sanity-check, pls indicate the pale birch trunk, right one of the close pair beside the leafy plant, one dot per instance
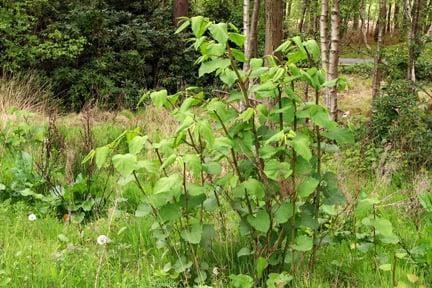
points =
(334, 58)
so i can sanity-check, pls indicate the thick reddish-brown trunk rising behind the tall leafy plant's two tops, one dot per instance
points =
(274, 25)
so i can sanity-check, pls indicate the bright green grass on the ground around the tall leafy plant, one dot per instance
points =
(51, 253)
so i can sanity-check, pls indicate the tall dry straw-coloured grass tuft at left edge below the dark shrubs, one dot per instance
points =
(24, 92)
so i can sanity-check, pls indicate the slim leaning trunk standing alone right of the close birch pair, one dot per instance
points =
(376, 82)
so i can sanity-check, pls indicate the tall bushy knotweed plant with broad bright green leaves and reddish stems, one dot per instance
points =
(243, 166)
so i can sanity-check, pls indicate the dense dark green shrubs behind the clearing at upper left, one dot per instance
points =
(100, 51)
